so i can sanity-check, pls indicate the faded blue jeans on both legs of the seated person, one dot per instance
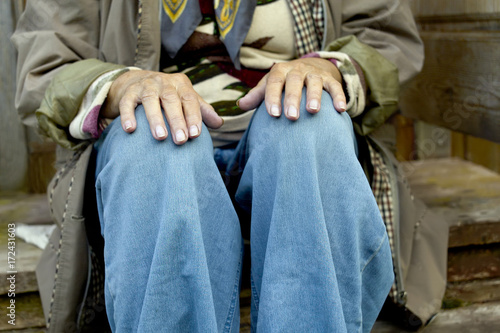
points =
(173, 248)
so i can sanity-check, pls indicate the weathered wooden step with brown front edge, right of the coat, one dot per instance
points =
(467, 195)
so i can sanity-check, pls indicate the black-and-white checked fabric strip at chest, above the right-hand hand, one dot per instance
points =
(309, 25)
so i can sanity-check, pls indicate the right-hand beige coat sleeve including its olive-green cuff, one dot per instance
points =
(382, 37)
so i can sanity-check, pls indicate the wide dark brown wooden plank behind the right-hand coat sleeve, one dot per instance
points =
(459, 86)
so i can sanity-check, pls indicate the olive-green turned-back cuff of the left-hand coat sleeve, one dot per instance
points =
(64, 96)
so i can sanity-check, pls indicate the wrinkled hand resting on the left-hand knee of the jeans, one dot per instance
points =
(184, 108)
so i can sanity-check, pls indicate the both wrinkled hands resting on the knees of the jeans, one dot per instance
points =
(185, 109)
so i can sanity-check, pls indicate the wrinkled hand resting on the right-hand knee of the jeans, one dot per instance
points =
(316, 74)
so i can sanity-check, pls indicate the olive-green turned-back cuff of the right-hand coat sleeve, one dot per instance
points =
(382, 82)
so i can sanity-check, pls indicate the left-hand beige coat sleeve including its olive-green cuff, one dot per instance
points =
(53, 37)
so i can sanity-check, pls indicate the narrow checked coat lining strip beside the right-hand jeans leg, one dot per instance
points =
(381, 187)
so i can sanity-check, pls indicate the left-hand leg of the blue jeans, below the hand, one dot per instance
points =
(172, 238)
